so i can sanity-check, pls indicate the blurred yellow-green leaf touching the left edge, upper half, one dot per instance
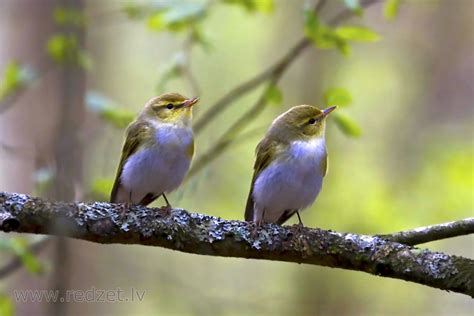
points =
(15, 76)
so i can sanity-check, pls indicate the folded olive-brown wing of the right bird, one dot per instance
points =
(266, 153)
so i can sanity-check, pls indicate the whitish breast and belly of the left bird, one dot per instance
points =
(160, 168)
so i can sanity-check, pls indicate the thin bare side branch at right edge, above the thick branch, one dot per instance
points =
(422, 235)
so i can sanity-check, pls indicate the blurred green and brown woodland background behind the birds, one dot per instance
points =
(400, 148)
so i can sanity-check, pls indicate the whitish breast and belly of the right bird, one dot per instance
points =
(292, 182)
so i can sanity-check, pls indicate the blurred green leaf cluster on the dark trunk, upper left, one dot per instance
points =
(64, 49)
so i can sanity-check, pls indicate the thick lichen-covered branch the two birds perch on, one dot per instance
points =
(206, 235)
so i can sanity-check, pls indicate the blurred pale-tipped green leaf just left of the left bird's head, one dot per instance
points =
(108, 110)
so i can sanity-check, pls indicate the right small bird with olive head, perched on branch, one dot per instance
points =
(290, 165)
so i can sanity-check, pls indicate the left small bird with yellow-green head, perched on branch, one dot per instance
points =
(157, 151)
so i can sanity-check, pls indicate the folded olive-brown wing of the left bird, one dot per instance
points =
(136, 134)
